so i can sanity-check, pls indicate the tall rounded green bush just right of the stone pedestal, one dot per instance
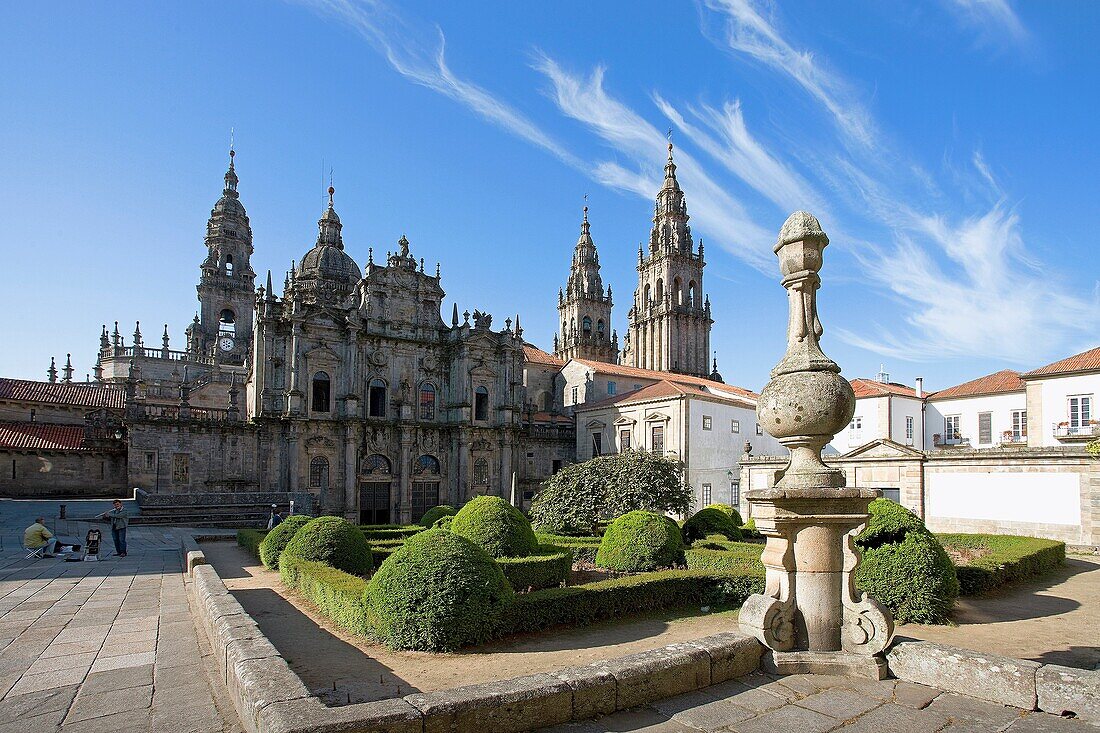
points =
(905, 567)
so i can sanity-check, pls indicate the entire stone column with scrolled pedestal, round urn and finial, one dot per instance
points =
(811, 617)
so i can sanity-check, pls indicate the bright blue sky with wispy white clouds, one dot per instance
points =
(949, 149)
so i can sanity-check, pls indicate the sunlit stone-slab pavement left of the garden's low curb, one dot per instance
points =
(107, 647)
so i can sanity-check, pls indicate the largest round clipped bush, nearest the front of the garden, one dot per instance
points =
(437, 593)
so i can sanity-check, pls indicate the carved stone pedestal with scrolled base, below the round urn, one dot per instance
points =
(811, 616)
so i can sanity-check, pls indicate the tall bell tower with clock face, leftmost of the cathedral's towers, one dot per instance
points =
(227, 282)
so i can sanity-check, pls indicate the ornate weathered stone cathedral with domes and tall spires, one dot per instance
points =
(350, 392)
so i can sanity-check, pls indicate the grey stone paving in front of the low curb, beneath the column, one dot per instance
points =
(817, 704)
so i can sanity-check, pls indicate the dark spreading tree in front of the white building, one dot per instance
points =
(579, 497)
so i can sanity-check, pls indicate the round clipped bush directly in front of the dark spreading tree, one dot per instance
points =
(641, 541)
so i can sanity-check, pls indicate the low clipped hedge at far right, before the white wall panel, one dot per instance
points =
(1011, 559)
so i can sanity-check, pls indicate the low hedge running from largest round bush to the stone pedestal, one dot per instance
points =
(578, 606)
